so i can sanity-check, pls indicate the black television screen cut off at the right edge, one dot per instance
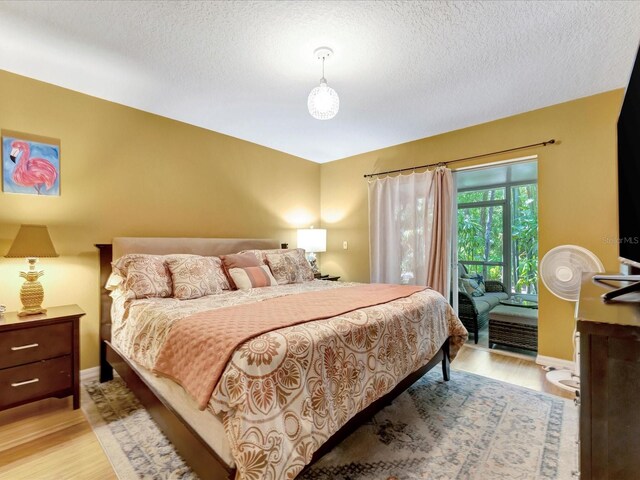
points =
(629, 171)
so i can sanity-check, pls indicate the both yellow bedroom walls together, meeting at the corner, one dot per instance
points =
(131, 173)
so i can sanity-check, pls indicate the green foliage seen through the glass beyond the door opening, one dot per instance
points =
(481, 232)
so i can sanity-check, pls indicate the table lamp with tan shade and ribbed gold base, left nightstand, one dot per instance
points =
(32, 241)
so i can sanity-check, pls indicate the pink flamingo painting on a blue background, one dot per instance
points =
(31, 167)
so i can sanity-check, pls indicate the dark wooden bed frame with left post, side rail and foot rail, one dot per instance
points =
(196, 452)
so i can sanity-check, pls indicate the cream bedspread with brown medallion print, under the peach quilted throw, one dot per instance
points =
(284, 393)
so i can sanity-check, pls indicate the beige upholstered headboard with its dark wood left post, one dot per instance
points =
(159, 246)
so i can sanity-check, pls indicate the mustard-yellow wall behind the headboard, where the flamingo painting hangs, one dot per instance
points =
(125, 172)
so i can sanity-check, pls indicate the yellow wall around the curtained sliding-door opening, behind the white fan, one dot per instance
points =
(576, 182)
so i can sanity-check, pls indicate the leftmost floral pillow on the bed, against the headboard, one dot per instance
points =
(145, 276)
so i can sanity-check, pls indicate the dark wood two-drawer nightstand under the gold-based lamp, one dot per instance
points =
(40, 356)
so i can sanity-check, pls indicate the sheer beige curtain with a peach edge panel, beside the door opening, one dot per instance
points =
(410, 229)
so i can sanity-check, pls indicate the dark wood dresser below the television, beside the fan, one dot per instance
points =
(609, 385)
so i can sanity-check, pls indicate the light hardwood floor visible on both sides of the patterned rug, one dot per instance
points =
(48, 440)
